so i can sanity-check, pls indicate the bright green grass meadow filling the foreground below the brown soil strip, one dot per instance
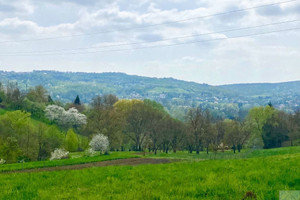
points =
(264, 173)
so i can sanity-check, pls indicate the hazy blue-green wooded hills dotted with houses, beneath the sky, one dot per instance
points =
(176, 95)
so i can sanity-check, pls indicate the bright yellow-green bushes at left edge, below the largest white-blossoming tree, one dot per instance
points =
(25, 138)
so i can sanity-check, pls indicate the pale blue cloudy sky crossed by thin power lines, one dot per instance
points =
(183, 39)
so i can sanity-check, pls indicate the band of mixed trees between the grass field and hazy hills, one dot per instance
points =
(34, 125)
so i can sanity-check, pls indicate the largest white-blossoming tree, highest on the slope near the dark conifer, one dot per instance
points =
(69, 118)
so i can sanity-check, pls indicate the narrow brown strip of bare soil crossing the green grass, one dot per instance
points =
(128, 161)
